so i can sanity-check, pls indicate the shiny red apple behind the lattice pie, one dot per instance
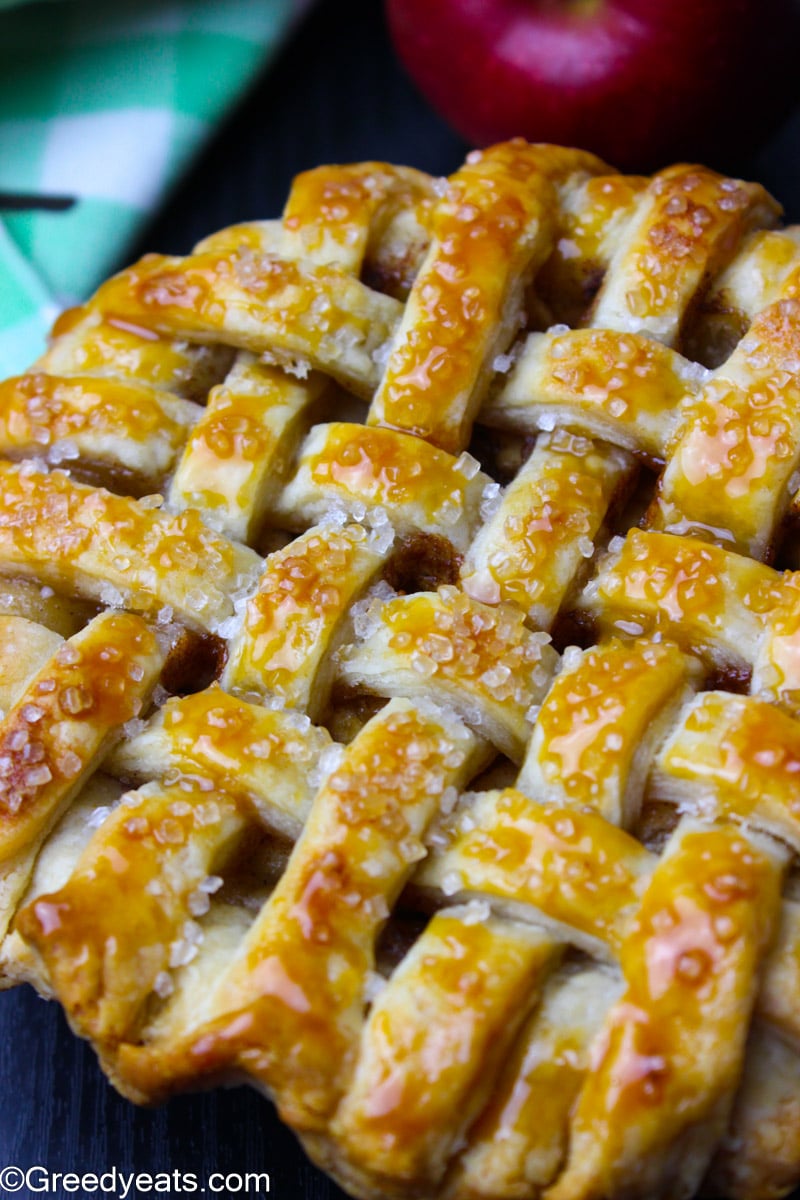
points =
(639, 82)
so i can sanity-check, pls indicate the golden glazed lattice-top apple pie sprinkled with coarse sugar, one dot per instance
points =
(461, 820)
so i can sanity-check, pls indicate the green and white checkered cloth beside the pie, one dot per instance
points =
(106, 101)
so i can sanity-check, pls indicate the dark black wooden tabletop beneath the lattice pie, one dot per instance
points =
(336, 94)
